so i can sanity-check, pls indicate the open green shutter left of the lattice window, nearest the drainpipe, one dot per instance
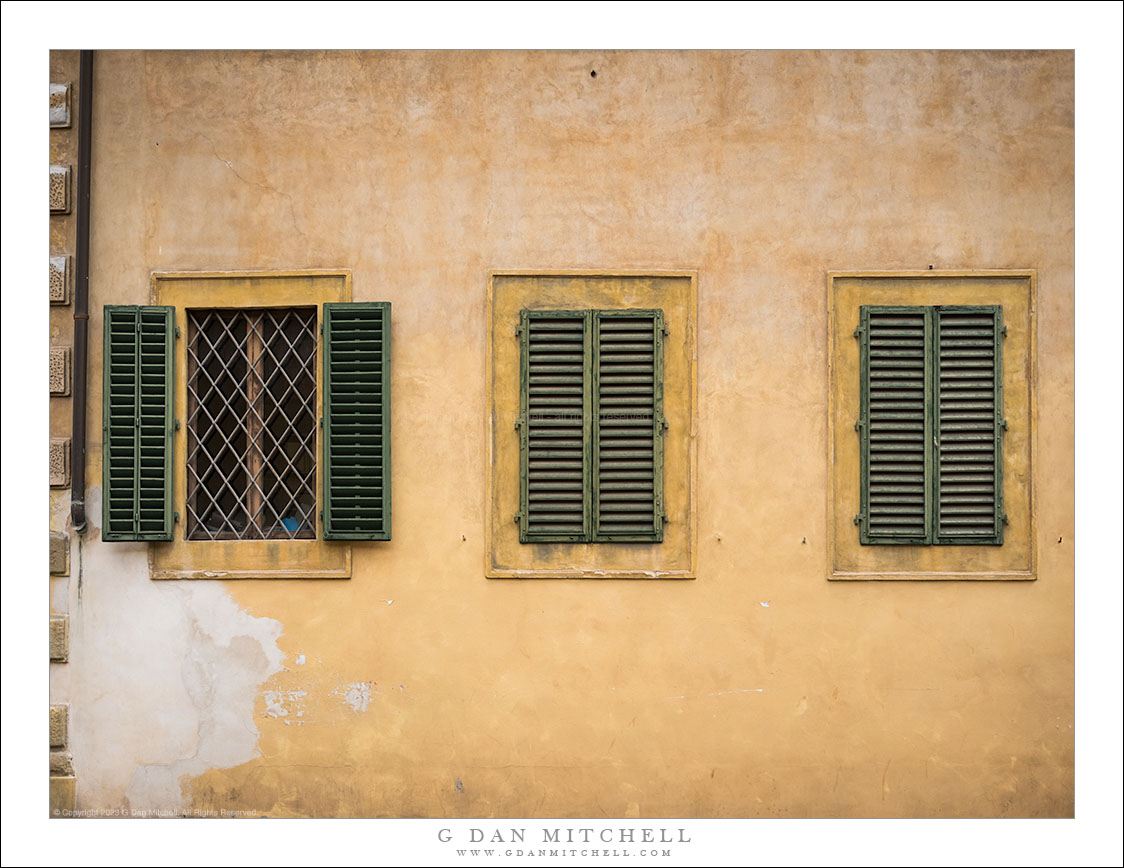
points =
(138, 423)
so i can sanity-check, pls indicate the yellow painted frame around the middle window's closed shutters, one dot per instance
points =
(511, 292)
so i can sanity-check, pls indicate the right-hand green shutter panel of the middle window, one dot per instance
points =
(628, 438)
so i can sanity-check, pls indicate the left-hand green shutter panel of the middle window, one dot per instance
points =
(555, 426)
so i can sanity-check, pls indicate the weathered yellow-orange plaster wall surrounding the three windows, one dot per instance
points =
(419, 688)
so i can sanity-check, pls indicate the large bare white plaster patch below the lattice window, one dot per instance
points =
(165, 677)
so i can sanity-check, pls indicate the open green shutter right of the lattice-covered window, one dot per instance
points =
(357, 421)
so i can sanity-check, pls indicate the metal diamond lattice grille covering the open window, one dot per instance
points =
(251, 424)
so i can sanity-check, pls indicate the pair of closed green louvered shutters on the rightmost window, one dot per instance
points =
(931, 426)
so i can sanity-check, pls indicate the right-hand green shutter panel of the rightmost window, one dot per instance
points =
(968, 485)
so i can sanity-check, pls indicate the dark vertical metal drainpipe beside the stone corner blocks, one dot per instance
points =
(83, 288)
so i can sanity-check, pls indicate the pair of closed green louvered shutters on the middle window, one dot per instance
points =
(592, 427)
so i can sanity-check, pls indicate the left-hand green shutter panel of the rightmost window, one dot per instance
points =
(895, 426)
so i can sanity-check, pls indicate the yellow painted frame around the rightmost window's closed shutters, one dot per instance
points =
(1016, 291)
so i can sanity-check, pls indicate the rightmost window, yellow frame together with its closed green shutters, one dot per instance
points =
(932, 408)
